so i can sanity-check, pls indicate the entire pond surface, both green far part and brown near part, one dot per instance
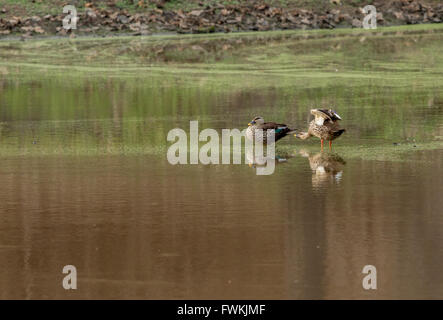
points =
(85, 180)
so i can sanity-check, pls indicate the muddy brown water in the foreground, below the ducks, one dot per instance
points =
(135, 227)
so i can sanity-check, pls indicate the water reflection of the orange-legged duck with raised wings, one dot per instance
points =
(326, 167)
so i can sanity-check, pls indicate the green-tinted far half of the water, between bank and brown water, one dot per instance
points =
(123, 95)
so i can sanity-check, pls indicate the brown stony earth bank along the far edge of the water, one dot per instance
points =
(250, 15)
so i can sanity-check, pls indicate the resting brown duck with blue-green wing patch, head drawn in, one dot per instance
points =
(257, 130)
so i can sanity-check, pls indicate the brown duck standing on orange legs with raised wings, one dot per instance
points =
(325, 126)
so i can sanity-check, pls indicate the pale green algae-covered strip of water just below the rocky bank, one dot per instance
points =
(283, 57)
